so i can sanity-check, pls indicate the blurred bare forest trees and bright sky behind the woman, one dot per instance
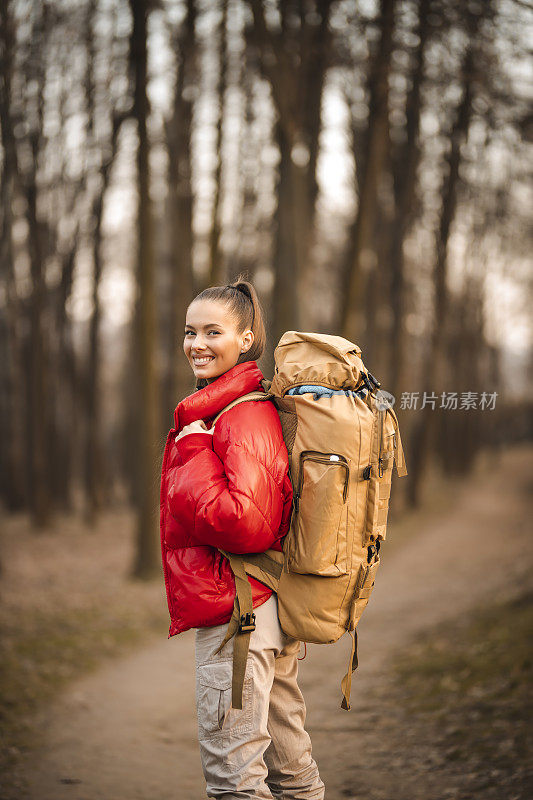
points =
(368, 164)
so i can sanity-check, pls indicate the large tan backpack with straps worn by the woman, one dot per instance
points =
(341, 453)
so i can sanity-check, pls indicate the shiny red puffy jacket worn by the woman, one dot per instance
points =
(229, 490)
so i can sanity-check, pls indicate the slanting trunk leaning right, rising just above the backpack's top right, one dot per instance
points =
(361, 250)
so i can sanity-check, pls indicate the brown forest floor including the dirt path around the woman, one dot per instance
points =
(101, 704)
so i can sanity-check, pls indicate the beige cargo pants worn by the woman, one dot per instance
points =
(263, 750)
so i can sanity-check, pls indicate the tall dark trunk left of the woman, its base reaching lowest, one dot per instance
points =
(147, 549)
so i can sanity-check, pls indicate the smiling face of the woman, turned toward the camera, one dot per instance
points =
(212, 342)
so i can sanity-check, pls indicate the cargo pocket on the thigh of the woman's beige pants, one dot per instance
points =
(216, 717)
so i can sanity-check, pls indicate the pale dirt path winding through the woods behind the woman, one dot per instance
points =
(128, 731)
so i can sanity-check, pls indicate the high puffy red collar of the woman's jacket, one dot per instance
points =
(207, 402)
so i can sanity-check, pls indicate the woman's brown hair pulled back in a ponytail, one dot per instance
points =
(244, 306)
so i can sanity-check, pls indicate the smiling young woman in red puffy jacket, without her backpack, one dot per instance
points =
(227, 487)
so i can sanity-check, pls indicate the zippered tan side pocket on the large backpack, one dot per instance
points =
(317, 540)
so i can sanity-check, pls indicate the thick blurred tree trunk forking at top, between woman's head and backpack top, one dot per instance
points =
(294, 61)
